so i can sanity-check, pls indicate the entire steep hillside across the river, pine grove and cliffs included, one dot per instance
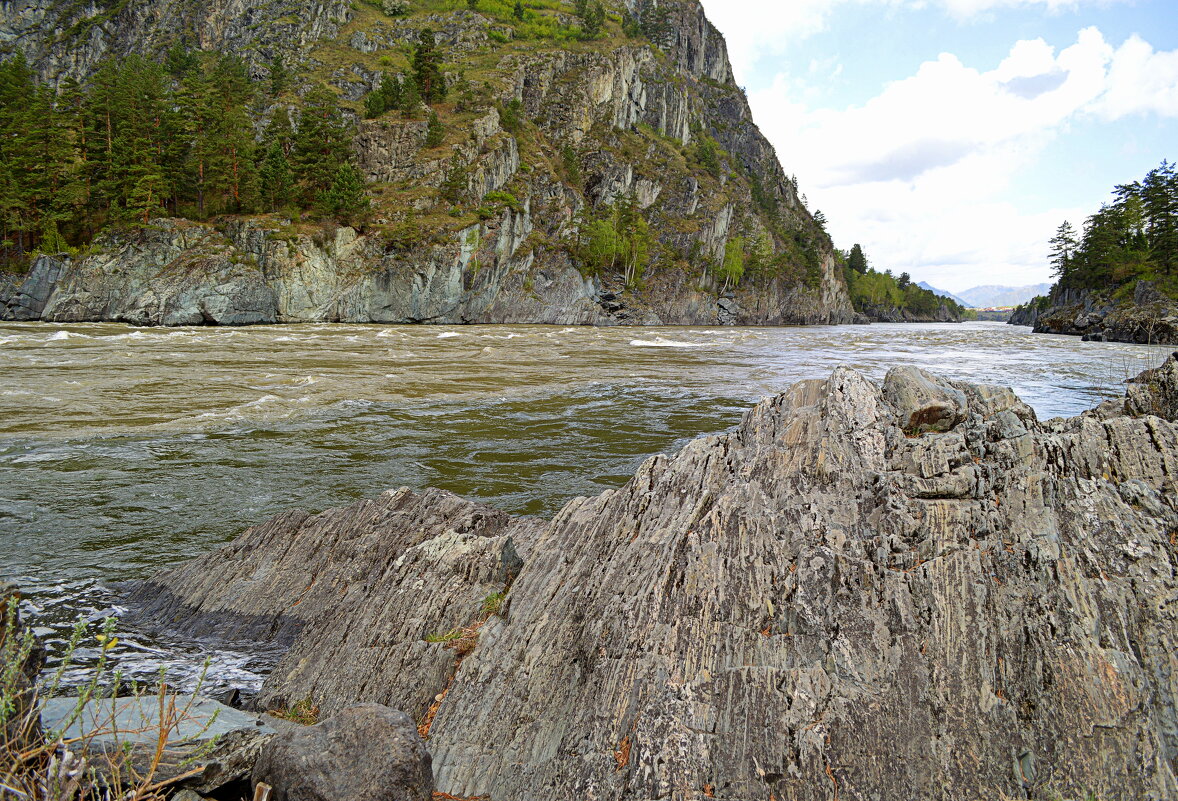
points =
(540, 162)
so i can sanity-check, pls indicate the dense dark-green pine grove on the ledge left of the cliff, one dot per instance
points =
(178, 137)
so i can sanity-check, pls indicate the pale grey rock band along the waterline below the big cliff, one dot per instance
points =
(248, 272)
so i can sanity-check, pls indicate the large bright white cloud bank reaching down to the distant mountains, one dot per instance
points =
(922, 174)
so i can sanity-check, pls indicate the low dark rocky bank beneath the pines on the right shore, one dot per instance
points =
(1148, 317)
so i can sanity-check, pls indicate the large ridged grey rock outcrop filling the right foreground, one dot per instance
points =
(823, 604)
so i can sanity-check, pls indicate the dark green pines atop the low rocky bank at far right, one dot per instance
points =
(1135, 237)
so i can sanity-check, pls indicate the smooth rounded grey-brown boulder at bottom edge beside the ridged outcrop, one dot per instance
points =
(365, 753)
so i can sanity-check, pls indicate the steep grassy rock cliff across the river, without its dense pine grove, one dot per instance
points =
(484, 228)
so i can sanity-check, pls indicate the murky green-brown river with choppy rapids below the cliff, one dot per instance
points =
(123, 451)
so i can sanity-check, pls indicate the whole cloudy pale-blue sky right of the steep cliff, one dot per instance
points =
(951, 138)
